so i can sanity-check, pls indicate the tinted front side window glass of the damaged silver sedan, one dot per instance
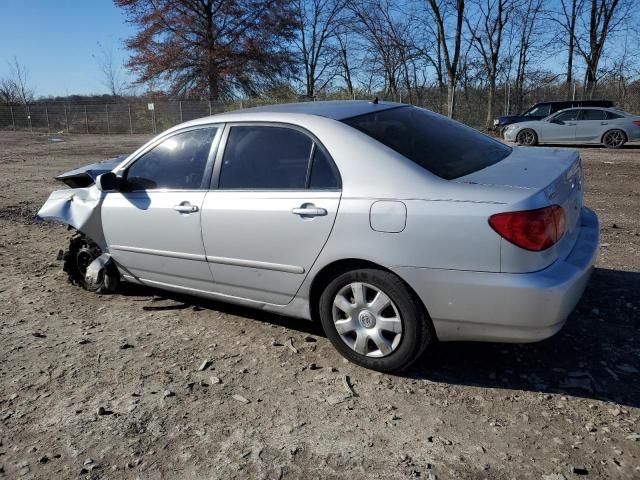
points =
(177, 163)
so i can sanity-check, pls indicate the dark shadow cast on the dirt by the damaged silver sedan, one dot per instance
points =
(594, 356)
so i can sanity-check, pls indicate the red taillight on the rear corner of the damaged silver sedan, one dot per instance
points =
(534, 230)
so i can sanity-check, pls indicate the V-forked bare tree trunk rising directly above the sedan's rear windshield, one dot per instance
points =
(450, 48)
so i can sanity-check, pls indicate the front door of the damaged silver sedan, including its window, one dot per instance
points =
(153, 225)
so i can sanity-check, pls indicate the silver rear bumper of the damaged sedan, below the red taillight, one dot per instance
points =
(507, 307)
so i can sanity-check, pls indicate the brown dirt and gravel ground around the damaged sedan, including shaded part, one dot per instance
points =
(110, 386)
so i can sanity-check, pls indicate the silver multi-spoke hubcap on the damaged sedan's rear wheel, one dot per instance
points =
(367, 320)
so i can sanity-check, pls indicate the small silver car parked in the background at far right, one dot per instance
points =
(605, 126)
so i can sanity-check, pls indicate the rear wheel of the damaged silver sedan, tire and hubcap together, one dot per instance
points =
(395, 350)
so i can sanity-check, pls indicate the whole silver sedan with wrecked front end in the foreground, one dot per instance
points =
(392, 225)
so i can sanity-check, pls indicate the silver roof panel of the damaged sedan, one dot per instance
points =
(334, 109)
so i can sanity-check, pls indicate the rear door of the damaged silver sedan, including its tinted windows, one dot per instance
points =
(272, 206)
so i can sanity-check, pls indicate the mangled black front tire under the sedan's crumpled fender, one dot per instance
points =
(81, 252)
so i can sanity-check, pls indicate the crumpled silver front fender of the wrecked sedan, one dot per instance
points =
(78, 207)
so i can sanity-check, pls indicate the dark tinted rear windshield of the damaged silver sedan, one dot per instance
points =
(446, 148)
